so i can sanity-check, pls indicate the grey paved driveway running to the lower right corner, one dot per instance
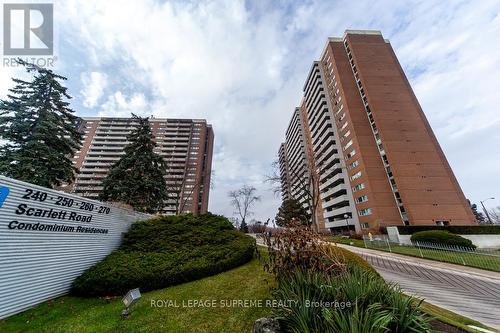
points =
(470, 292)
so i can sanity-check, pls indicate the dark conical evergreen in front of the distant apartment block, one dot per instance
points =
(137, 178)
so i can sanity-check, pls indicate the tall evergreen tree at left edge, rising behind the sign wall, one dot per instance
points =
(40, 130)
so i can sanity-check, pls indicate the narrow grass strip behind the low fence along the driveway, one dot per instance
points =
(469, 259)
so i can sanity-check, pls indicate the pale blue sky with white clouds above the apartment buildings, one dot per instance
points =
(241, 65)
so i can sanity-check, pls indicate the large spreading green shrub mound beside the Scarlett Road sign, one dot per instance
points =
(165, 251)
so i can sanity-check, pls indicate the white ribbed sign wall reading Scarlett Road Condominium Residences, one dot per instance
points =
(48, 238)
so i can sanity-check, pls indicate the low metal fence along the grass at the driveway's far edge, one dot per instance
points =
(481, 258)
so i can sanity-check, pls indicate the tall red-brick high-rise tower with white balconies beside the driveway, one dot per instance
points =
(376, 157)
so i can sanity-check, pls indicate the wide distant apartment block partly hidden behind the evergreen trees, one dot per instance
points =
(185, 144)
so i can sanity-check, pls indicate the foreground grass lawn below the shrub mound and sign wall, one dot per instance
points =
(74, 314)
